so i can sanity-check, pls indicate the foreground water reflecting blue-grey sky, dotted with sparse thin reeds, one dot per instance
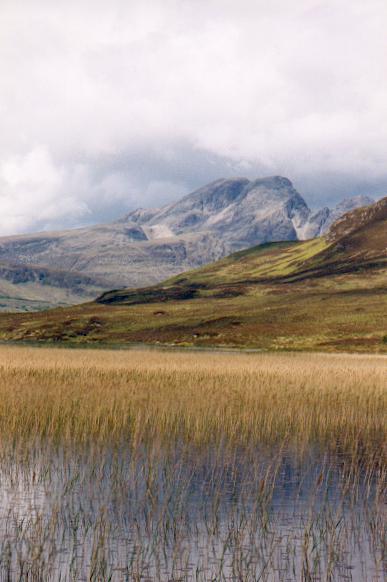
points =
(153, 512)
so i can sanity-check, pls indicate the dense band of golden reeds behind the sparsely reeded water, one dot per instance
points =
(102, 395)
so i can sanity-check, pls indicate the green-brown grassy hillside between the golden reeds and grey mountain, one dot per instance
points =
(324, 294)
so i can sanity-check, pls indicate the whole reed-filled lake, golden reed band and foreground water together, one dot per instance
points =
(150, 465)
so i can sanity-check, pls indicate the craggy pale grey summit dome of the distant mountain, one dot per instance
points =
(240, 212)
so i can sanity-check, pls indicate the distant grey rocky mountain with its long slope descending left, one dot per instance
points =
(149, 245)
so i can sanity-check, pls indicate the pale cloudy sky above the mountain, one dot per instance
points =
(110, 105)
